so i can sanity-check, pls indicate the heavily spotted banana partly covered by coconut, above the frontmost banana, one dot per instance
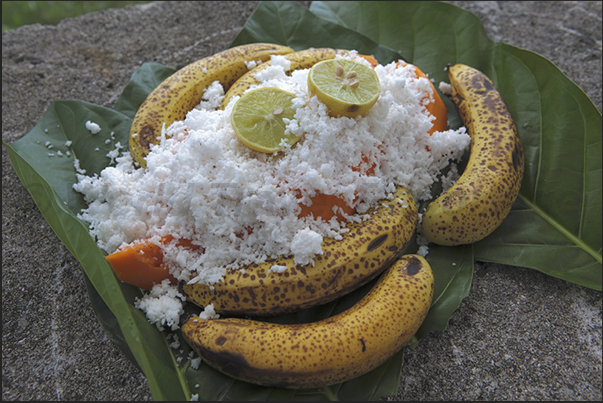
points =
(364, 252)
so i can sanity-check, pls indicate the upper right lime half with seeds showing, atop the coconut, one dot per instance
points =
(347, 87)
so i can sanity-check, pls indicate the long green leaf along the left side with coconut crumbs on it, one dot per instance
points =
(48, 179)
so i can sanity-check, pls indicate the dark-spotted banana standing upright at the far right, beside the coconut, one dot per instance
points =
(482, 197)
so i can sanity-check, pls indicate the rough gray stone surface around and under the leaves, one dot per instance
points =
(520, 335)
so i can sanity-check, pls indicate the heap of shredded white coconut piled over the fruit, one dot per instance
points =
(241, 206)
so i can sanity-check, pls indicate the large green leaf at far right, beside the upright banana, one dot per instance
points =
(555, 226)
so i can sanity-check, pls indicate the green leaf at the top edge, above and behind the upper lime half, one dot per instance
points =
(426, 33)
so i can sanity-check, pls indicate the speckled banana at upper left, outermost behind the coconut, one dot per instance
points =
(182, 91)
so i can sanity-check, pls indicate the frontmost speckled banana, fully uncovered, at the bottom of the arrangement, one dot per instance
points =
(326, 352)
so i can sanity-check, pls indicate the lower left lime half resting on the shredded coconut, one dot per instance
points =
(257, 119)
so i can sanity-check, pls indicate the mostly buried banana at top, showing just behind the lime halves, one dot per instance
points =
(303, 59)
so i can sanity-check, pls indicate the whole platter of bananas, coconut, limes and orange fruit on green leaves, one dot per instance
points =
(290, 218)
